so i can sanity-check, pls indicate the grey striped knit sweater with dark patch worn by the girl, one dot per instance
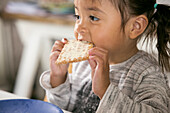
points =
(137, 86)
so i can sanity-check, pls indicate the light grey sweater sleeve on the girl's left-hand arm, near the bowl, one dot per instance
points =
(59, 95)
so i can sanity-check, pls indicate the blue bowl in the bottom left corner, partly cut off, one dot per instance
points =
(27, 106)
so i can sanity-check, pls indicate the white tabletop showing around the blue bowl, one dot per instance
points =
(6, 95)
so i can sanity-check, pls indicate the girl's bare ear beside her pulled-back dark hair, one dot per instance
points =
(138, 26)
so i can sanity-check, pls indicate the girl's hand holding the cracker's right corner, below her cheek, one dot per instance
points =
(98, 60)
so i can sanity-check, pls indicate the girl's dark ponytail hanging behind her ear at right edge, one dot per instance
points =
(160, 23)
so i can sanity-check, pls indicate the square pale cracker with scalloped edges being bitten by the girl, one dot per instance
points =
(74, 51)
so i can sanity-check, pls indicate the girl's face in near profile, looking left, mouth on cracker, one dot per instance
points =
(100, 23)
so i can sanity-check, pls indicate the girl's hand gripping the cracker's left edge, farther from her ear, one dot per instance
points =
(58, 72)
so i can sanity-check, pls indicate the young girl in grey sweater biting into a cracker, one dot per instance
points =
(117, 78)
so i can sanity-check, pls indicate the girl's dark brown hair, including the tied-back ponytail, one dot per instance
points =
(158, 26)
